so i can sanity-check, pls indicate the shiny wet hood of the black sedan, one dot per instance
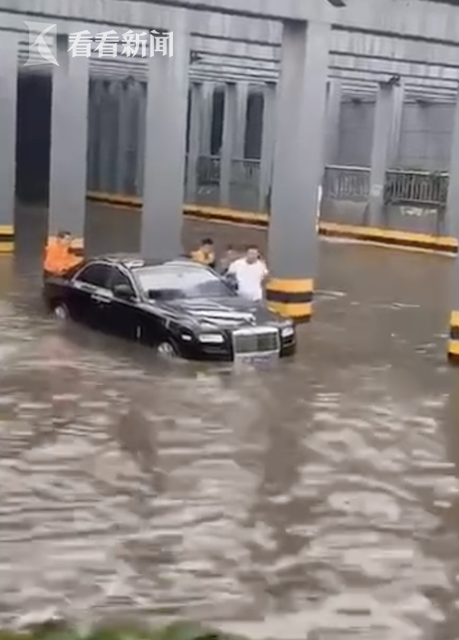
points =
(222, 313)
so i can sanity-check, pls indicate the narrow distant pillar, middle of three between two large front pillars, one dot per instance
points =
(227, 152)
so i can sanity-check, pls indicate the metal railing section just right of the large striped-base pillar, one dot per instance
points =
(346, 183)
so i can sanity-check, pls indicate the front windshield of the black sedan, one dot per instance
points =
(181, 281)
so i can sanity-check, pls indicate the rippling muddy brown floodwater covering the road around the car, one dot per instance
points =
(317, 498)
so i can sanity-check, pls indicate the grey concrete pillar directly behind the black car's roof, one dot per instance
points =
(164, 172)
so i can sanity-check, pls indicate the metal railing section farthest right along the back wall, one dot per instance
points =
(416, 187)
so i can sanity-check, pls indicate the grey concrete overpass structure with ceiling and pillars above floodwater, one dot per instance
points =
(235, 106)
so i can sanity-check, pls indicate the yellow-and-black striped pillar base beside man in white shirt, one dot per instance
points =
(291, 298)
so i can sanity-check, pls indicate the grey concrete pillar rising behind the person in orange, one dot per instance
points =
(69, 133)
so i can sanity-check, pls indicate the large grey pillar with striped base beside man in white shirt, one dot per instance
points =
(298, 167)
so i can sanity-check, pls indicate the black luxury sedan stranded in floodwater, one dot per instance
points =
(179, 307)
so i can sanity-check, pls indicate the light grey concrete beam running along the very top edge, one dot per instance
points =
(419, 21)
